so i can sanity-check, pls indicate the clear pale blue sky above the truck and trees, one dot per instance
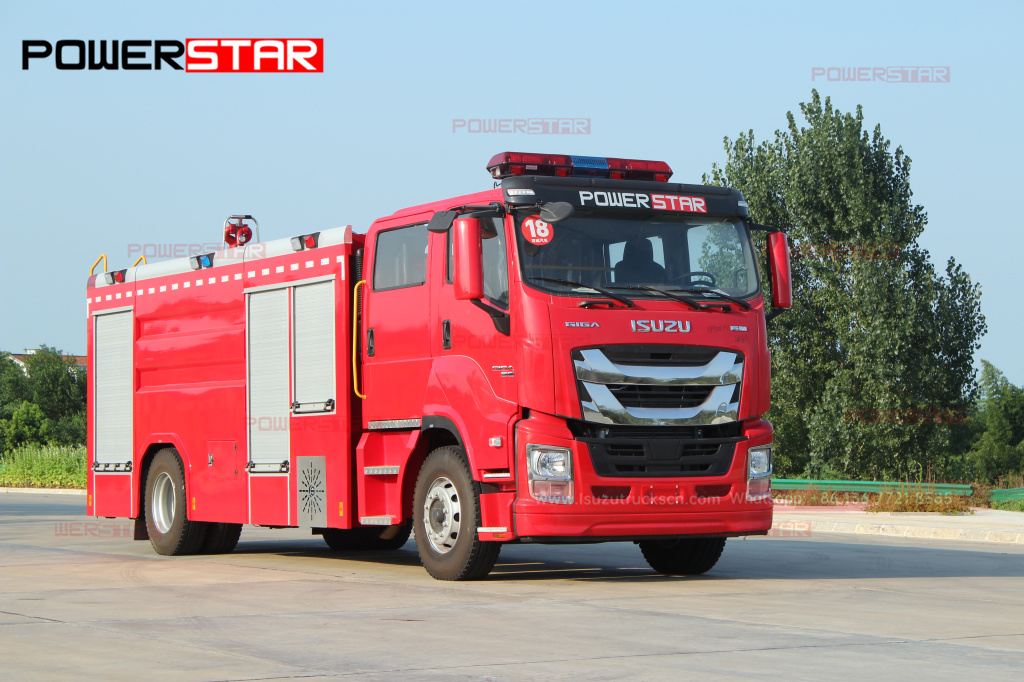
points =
(133, 162)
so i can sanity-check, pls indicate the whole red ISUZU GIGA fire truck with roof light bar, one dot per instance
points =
(576, 356)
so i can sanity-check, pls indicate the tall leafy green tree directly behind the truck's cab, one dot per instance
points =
(874, 367)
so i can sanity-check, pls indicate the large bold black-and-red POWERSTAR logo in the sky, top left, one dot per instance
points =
(239, 56)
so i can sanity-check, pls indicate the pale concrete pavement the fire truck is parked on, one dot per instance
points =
(98, 606)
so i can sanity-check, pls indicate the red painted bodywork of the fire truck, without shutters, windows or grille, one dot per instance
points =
(190, 389)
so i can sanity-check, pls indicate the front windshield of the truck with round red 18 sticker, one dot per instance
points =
(629, 254)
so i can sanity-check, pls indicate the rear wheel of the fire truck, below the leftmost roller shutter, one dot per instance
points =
(172, 533)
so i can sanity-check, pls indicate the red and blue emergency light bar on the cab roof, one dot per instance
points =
(509, 164)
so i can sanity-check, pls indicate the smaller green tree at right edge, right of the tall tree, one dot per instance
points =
(1000, 448)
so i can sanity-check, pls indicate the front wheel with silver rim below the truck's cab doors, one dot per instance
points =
(446, 517)
